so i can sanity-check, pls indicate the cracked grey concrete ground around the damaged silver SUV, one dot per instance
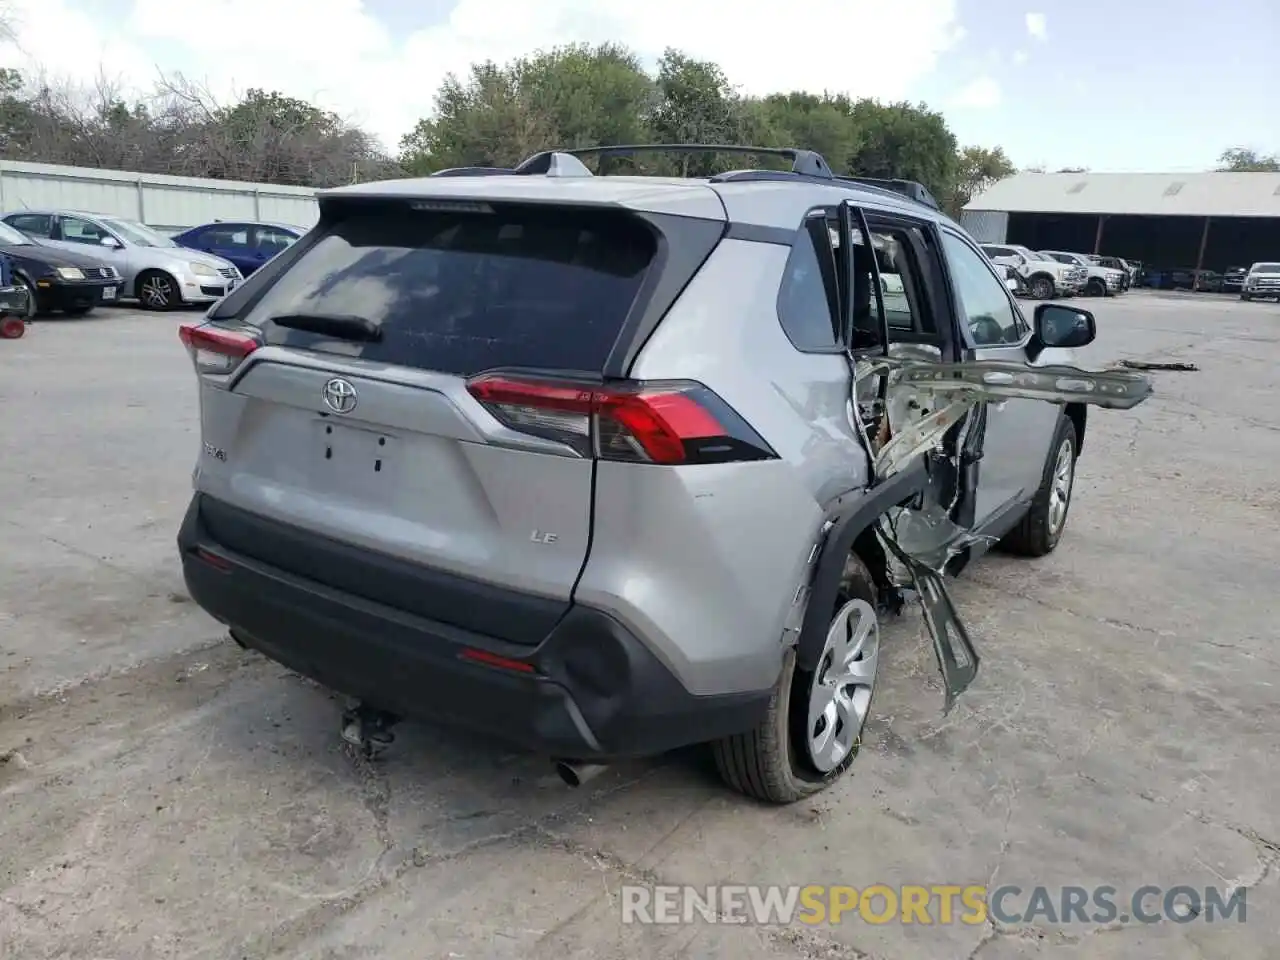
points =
(164, 794)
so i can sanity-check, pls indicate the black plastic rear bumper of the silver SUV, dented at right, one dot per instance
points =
(589, 692)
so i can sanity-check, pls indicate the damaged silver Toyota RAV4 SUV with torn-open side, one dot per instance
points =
(607, 467)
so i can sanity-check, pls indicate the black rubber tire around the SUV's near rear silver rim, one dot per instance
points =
(770, 764)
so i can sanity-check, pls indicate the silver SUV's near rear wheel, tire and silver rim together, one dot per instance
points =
(813, 729)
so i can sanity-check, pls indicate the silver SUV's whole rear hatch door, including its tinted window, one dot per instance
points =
(354, 422)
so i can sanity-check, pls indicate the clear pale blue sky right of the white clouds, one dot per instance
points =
(1118, 86)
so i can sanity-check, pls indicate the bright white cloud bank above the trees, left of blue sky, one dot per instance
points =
(337, 54)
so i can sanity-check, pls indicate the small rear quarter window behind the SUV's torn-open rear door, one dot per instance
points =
(807, 299)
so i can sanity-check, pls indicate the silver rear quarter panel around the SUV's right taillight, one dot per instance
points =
(705, 563)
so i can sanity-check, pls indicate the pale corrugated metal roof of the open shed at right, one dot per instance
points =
(1136, 194)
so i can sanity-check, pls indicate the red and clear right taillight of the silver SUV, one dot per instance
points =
(642, 423)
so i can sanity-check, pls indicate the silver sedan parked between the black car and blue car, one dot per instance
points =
(159, 273)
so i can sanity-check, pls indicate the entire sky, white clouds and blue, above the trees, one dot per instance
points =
(1109, 86)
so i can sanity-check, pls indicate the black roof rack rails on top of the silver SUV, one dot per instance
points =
(807, 164)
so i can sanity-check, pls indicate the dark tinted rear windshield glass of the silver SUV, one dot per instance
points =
(464, 292)
